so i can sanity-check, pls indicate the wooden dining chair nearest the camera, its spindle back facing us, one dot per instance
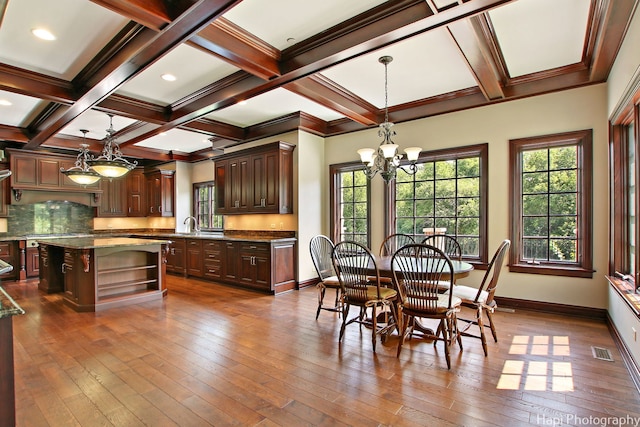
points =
(419, 271)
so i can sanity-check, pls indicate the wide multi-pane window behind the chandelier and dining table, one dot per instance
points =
(447, 195)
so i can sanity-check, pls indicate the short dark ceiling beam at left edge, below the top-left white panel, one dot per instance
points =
(29, 83)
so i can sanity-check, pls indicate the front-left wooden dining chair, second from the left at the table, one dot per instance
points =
(360, 282)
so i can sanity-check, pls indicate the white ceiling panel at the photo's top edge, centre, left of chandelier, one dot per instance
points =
(277, 21)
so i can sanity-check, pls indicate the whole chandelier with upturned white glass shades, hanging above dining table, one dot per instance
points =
(385, 160)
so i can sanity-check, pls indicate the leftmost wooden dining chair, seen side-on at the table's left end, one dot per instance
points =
(321, 248)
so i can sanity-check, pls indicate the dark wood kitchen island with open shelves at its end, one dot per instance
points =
(98, 273)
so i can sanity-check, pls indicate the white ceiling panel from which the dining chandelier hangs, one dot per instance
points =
(423, 66)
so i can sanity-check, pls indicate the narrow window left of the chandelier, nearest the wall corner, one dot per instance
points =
(350, 194)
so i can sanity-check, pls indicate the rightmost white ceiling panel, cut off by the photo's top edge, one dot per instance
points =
(537, 35)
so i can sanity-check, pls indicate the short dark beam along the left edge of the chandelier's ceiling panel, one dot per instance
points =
(325, 92)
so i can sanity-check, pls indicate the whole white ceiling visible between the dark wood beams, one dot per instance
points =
(534, 35)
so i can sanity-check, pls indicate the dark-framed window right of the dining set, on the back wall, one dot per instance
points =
(551, 204)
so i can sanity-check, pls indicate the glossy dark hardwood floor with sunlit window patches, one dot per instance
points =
(215, 355)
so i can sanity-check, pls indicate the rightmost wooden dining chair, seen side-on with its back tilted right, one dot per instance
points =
(481, 298)
